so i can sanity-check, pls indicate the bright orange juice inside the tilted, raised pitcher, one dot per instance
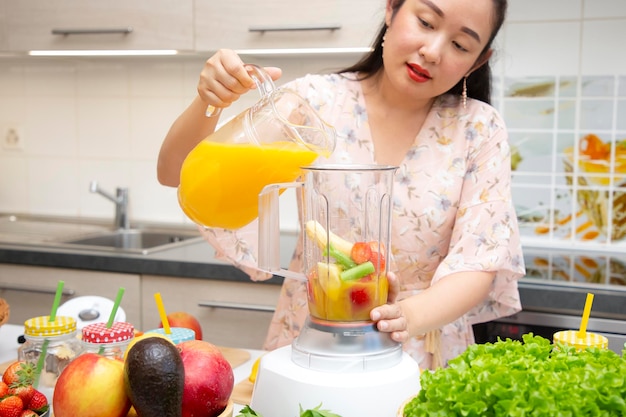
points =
(220, 182)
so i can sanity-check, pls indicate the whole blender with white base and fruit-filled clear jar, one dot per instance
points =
(339, 359)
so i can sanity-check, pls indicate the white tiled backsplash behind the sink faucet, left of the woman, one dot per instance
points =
(103, 119)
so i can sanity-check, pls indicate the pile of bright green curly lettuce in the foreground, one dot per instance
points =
(529, 378)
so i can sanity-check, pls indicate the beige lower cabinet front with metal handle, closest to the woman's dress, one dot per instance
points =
(234, 314)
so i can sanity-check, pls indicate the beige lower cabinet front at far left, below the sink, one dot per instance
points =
(30, 290)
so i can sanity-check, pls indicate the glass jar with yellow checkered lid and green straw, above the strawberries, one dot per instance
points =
(51, 345)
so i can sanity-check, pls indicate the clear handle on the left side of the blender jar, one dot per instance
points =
(269, 231)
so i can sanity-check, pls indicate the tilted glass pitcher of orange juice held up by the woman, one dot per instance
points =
(222, 176)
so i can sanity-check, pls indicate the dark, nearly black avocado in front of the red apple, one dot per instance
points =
(154, 378)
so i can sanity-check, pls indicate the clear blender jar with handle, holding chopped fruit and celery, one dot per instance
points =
(346, 215)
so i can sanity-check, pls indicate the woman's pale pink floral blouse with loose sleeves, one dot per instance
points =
(452, 212)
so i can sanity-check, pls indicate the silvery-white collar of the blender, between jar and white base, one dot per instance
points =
(344, 347)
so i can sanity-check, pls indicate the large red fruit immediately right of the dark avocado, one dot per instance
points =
(209, 379)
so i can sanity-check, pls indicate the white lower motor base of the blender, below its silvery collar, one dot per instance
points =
(373, 384)
